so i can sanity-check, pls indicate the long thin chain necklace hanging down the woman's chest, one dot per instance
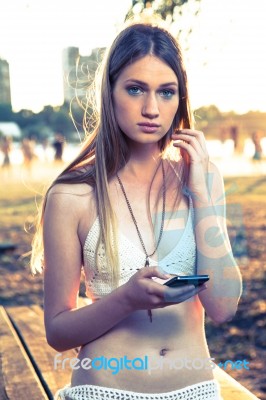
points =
(147, 263)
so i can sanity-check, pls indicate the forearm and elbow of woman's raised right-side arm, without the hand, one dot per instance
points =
(214, 252)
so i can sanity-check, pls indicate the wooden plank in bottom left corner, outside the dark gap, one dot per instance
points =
(18, 379)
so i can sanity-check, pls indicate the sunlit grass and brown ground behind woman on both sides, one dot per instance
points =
(242, 338)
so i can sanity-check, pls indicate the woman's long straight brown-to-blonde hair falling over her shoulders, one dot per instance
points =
(106, 149)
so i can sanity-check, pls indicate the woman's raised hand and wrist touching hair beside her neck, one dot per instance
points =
(194, 144)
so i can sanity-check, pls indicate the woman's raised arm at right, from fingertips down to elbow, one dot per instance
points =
(214, 253)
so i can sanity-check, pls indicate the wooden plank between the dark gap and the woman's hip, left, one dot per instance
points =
(29, 324)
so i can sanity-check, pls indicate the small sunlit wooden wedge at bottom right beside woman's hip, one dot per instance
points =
(230, 388)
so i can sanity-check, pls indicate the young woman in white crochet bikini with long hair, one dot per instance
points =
(132, 213)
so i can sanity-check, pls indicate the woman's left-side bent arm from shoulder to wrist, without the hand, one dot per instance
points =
(66, 325)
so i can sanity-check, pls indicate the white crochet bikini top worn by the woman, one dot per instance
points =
(181, 260)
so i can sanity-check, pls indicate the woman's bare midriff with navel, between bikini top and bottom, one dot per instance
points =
(174, 346)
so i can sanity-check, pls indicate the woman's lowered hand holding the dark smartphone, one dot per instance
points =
(141, 292)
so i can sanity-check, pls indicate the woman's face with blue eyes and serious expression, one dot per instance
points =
(146, 99)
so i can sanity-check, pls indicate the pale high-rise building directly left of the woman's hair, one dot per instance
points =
(79, 71)
